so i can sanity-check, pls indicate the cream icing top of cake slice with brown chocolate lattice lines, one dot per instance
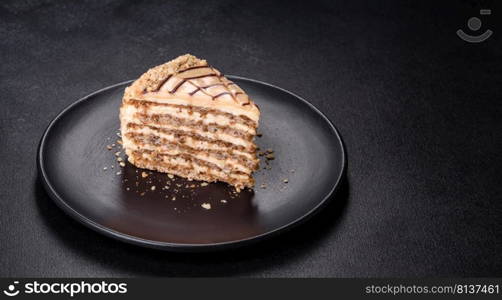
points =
(193, 79)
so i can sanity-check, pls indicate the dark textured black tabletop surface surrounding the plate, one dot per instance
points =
(419, 111)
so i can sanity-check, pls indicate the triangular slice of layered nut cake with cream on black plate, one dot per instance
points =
(185, 118)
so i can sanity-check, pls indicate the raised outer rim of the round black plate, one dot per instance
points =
(183, 247)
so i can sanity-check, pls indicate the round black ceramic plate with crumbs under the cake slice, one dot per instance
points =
(120, 203)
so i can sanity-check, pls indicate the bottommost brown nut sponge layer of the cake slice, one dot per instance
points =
(186, 167)
